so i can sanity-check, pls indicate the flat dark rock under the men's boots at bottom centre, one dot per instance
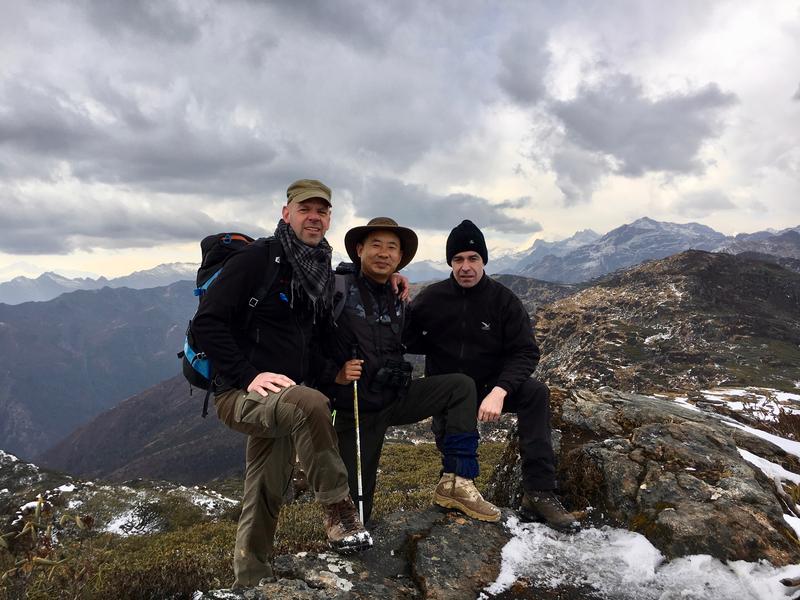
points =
(428, 554)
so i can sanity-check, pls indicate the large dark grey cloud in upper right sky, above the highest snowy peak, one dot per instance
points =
(615, 118)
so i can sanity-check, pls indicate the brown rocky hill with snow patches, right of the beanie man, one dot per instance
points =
(692, 320)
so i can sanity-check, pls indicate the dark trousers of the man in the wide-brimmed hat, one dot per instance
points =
(450, 396)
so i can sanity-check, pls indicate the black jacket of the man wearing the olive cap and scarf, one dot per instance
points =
(278, 337)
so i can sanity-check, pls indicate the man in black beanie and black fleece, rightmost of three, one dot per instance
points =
(472, 324)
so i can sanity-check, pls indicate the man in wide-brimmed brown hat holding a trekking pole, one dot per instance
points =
(365, 345)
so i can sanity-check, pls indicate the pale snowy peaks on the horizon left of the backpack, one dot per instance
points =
(50, 285)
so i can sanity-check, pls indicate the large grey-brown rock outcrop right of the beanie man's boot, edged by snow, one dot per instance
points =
(669, 472)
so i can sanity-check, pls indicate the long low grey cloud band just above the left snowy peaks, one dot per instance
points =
(66, 225)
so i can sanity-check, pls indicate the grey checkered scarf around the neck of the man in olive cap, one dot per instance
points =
(311, 268)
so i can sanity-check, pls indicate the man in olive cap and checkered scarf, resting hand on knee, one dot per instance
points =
(260, 354)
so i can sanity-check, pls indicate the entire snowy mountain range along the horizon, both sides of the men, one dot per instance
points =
(578, 258)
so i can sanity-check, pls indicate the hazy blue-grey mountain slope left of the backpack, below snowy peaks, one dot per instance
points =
(66, 360)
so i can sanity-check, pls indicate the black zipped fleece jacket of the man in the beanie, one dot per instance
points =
(482, 331)
